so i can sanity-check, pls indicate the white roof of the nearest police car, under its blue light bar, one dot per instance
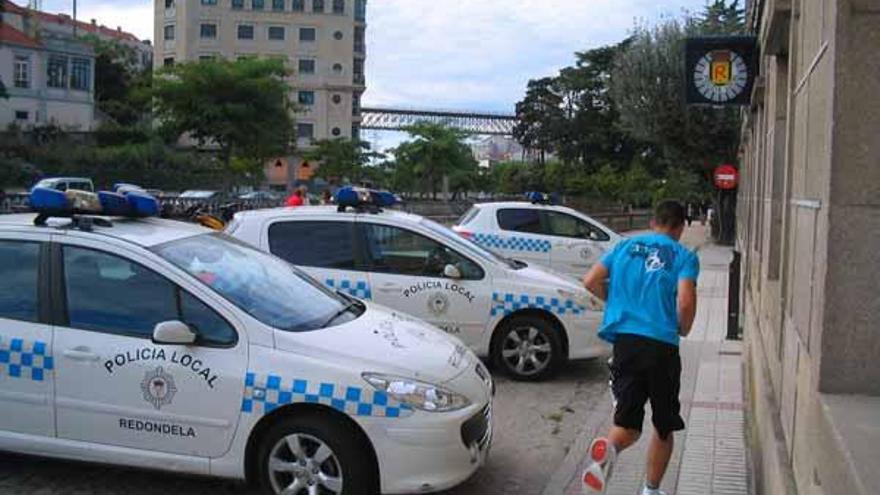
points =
(145, 232)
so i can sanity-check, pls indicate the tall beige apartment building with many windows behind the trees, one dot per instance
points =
(323, 42)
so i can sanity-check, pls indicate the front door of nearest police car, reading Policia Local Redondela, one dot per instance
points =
(115, 386)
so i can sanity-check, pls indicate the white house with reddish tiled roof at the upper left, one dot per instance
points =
(49, 70)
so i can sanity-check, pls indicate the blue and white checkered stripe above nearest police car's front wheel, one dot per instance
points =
(265, 393)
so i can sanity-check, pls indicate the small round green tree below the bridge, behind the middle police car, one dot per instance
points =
(434, 152)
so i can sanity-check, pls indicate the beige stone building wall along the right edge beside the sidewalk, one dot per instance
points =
(809, 233)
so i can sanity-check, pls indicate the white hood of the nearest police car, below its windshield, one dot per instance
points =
(385, 341)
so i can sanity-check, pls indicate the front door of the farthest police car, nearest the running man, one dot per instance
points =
(577, 244)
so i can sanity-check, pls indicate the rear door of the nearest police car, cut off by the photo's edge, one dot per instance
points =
(27, 370)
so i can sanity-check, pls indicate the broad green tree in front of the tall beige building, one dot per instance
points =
(241, 107)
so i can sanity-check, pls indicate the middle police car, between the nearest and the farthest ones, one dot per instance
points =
(527, 320)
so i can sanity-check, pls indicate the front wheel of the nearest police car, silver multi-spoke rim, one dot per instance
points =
(331, 456)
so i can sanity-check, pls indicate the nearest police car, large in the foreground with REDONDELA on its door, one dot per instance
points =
(151, 343)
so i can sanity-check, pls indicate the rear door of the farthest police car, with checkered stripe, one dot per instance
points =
(520, 236)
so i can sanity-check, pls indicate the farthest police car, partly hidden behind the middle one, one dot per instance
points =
(538, 231)
